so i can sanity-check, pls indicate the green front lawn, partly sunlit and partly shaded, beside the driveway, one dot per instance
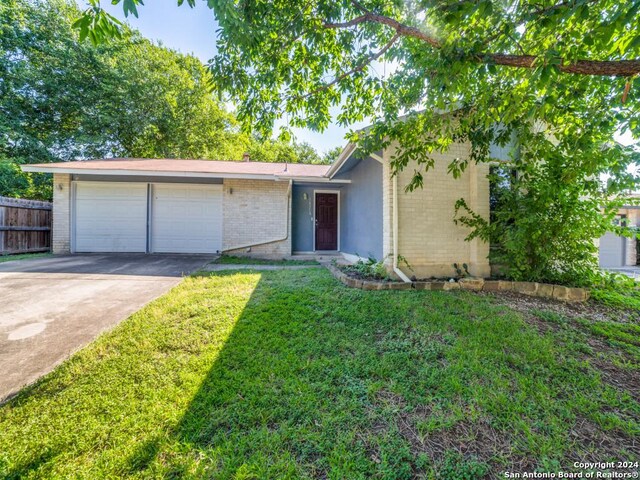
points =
(289, 374)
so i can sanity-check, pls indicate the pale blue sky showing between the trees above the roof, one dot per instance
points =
(193, 31)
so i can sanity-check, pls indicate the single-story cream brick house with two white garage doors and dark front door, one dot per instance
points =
(354, 207)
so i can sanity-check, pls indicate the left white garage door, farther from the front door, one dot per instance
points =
(110, 217)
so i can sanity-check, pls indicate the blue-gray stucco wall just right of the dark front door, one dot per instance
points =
(361, 211)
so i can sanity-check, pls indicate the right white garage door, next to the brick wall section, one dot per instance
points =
(186, 218)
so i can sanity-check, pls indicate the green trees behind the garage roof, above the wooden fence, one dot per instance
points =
(66, 99)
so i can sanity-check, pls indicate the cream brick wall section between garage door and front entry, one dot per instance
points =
(256, 211)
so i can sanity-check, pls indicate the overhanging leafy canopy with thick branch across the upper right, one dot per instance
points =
(570, 65)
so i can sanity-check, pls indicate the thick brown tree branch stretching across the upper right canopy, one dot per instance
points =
(614, 68)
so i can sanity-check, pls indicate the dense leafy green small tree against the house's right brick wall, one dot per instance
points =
(548, 206)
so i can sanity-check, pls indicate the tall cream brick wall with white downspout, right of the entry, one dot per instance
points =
(427, 236)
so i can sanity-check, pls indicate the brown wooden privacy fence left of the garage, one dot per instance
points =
(25, 226)
